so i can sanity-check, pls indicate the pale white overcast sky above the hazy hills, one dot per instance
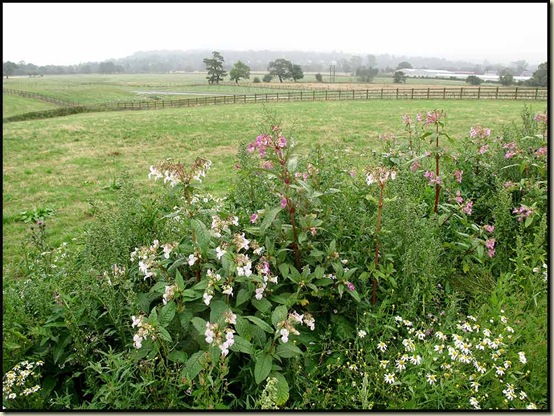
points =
(65, 34)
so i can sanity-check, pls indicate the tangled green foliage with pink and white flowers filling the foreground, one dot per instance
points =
(414, 277)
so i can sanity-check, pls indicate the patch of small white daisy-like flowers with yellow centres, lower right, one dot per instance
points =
(473, 354)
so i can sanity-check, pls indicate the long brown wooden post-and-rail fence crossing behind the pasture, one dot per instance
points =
(462, 93)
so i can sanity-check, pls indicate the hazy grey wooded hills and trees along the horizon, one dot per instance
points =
(364, 68)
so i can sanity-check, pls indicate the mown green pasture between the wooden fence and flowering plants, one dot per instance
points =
(64, 163)
